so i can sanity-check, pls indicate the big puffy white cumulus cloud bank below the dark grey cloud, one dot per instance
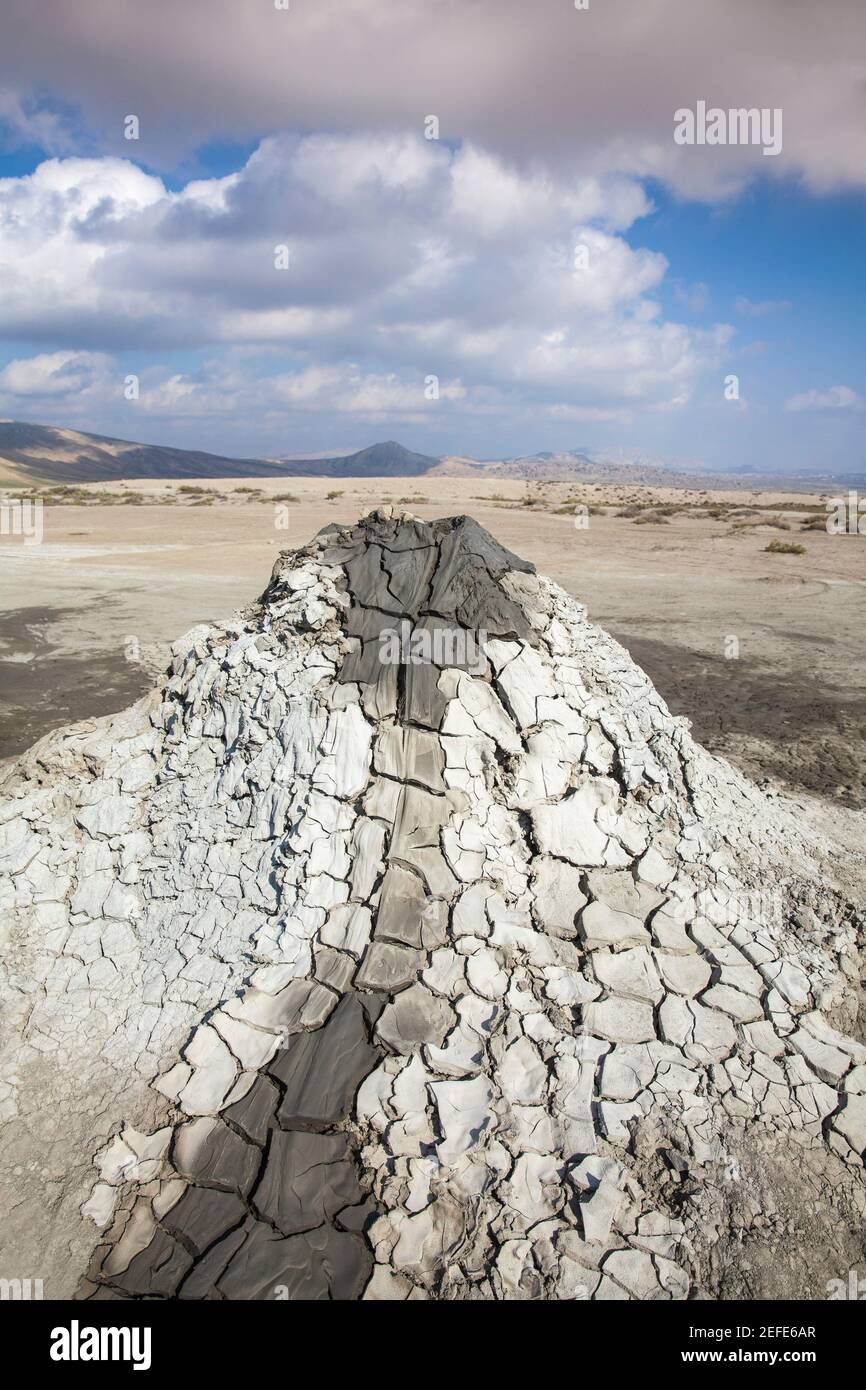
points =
(368, 265)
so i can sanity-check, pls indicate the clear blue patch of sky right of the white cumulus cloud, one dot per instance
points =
(799, 261)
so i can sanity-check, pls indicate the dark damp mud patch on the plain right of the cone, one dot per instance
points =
(769, 723)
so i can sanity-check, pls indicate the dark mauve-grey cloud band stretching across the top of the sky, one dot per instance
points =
(525, 81)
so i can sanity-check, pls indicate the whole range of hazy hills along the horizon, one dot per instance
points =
(33, 454)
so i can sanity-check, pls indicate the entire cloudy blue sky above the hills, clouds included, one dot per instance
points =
(448, 259)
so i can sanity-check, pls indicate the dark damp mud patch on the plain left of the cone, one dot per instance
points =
(45, 686)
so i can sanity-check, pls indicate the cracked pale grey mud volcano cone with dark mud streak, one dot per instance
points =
(404, 946)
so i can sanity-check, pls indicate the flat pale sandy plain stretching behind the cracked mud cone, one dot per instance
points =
(129, 579)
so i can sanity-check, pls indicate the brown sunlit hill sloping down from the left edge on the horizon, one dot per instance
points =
(45, 454)
